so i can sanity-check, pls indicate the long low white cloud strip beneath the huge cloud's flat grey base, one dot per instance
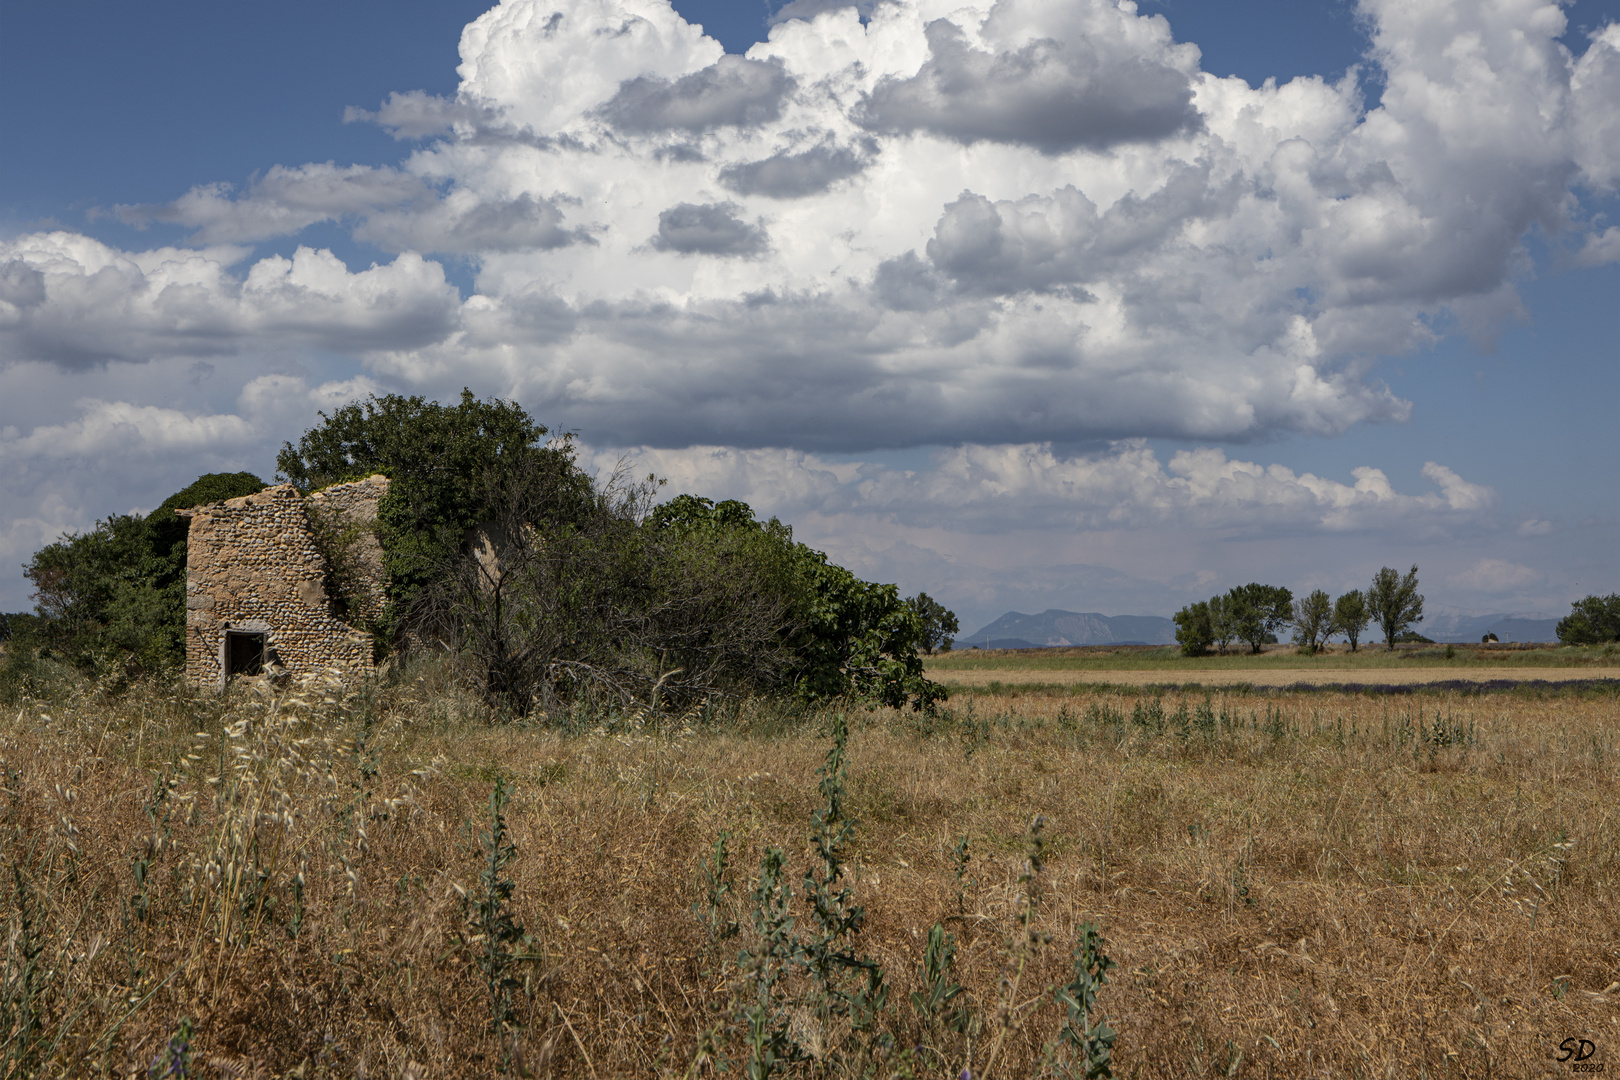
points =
(989, 490)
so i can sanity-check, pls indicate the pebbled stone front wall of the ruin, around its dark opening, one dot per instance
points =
(254, 564)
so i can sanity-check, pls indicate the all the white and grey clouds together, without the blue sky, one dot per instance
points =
(991, 227)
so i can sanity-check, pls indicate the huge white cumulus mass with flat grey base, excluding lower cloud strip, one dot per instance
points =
(1002, 223)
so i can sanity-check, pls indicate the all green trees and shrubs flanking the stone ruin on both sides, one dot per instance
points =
(595, 593)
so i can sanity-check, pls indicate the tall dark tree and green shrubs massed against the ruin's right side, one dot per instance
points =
(556, 587)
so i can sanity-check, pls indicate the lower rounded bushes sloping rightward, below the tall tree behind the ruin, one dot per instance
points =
(686, 602)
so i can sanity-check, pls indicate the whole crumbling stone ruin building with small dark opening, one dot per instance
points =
(257, 595)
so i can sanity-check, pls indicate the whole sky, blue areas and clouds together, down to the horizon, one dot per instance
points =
(1307, 287)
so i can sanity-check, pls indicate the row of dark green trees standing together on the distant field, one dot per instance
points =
(1255, 614)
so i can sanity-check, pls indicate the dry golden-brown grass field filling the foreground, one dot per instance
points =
(1290, 885)
